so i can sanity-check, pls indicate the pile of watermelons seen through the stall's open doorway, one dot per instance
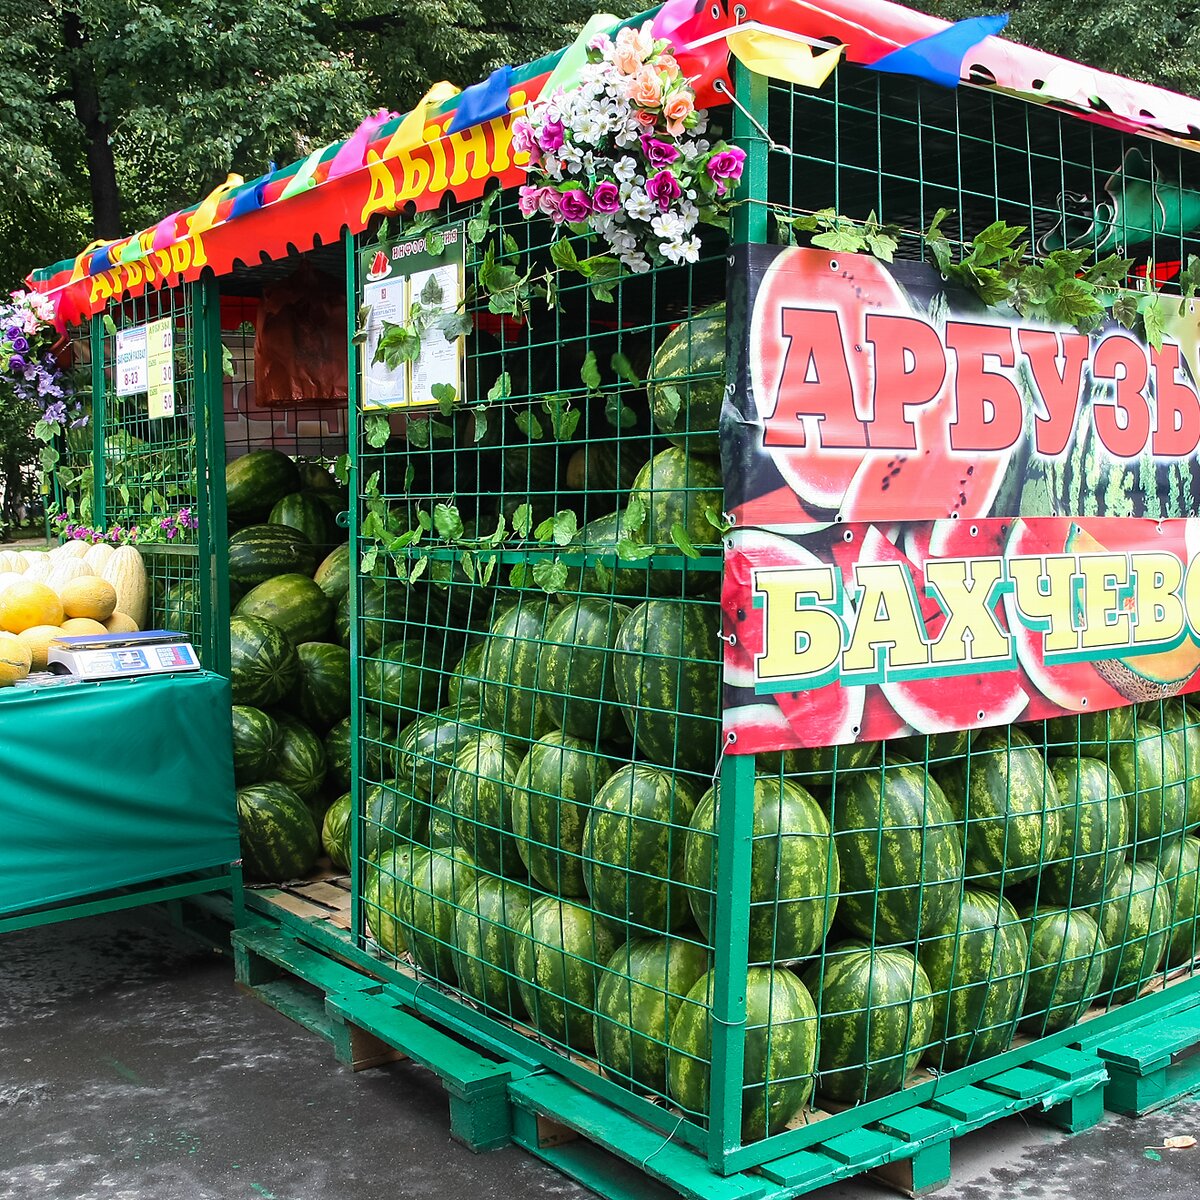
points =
(290, 571)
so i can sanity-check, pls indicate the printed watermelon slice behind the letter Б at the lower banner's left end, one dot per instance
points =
(827, 716)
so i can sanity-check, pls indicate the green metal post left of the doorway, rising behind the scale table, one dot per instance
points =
(209, 434)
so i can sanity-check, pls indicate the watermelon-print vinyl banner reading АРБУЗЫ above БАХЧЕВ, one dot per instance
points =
(945, 518)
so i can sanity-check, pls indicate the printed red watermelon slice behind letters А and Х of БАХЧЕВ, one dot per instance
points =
(940, 705)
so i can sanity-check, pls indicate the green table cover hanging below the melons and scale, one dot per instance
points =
(111, 784)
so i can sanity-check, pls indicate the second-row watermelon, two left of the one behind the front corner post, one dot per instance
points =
(553, 795)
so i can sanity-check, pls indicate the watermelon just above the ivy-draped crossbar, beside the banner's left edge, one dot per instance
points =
(679, 489)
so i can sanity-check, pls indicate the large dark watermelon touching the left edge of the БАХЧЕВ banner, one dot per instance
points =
(670, 683)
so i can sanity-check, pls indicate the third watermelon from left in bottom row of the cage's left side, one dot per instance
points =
(484, 946)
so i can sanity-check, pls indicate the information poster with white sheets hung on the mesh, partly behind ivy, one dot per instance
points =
(407, 289)
